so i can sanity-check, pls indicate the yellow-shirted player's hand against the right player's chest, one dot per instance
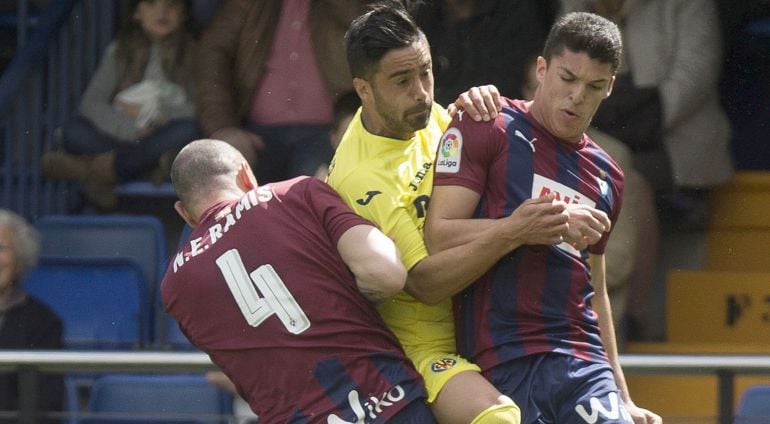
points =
(539, 221)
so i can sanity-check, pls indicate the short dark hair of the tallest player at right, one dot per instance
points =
(582, 32)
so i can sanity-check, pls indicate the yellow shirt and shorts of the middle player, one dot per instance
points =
(389, 182)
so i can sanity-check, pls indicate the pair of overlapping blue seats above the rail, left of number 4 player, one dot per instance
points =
(101, 274)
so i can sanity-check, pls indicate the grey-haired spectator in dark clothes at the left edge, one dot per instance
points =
(25, 322)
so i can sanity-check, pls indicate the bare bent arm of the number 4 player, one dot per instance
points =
(374, 260)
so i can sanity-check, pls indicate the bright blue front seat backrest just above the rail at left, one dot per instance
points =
(101, 301)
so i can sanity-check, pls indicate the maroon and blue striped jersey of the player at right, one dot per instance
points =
(538, 298)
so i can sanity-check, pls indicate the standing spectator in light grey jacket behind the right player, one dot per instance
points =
(665, 107)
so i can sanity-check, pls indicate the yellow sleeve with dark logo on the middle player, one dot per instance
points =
(383, 208)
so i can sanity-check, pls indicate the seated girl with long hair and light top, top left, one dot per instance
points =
(138, 109)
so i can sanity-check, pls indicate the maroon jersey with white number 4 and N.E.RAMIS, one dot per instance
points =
(260, 286)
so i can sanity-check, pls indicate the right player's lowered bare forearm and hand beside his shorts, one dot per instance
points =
(601, 304)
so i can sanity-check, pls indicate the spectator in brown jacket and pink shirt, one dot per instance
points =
(268, 74)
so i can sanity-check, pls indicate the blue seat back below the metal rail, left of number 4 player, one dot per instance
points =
(154, 398)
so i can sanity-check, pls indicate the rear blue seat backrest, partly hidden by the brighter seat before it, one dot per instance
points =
(139, 237)
